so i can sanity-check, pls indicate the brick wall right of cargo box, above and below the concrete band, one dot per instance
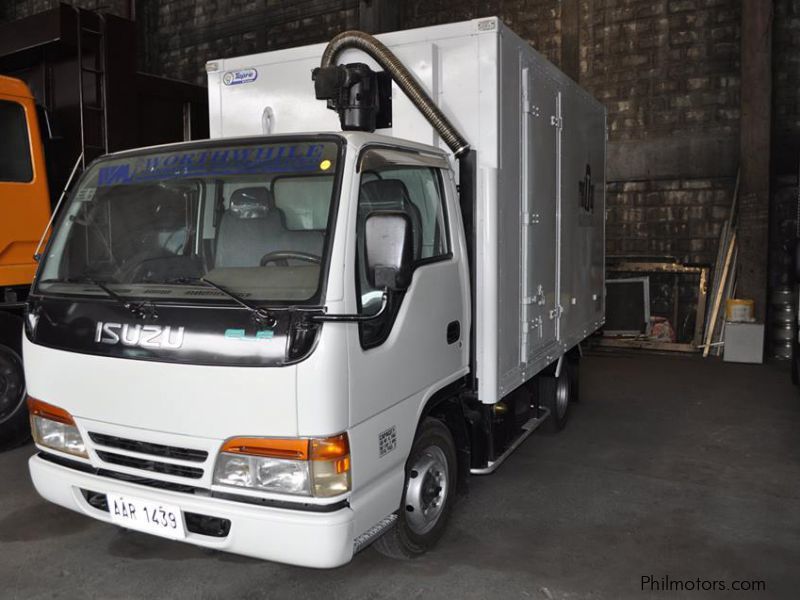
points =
(665, 70)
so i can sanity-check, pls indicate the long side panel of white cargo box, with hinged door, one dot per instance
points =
(550, 215)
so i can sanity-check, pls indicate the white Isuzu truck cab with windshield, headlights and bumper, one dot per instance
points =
(138, 293)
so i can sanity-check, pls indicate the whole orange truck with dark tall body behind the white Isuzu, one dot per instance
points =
(71, 93)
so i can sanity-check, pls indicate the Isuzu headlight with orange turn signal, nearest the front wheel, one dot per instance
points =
(305, 467)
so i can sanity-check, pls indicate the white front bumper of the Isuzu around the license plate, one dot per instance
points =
(309, 539)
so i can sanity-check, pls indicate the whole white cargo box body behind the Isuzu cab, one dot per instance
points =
(540, 183)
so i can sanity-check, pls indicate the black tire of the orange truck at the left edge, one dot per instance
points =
(14, 426)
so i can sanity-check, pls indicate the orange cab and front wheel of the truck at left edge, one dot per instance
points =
(24, 213)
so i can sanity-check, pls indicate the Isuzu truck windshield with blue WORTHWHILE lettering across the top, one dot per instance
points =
(254, 219)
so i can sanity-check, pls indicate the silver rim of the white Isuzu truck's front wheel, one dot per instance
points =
(428, 487)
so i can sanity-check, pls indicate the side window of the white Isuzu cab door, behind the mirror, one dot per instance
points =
(416, 191)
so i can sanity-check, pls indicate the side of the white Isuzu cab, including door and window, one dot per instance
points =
(420, 343)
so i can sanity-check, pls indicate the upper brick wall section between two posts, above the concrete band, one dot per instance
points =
(663, 68)
